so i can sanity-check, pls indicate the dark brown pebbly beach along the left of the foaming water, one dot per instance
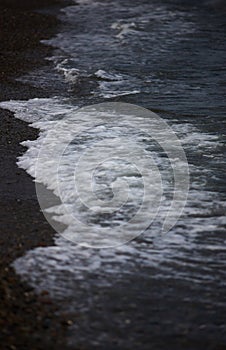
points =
(27, 321)
